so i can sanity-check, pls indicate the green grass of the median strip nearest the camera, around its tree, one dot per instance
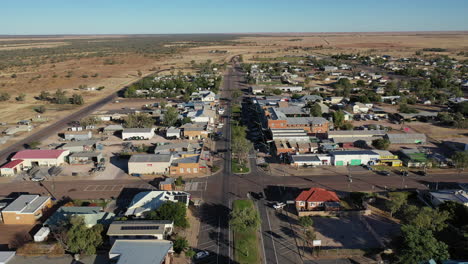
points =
(246, 250)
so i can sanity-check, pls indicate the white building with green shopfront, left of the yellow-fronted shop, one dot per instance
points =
(354, 157)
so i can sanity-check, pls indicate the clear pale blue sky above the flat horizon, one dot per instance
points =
(223, 16)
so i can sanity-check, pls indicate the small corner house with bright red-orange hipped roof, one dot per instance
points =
(317, 199)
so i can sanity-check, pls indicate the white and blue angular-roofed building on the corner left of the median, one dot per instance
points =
(152, 200)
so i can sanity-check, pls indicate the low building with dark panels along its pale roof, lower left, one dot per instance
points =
(140, 229)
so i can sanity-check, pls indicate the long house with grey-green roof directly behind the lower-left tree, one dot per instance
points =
(92, 215)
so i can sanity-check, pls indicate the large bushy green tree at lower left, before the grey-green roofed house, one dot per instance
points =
(75, 237)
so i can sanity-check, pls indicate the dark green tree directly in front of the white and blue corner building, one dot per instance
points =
(176, 212)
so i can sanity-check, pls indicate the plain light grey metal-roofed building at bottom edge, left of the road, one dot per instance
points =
(141, 252)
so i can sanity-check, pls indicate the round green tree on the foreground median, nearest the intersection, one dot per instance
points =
(242, 218)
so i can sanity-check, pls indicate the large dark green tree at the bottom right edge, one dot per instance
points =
(419, 244)
